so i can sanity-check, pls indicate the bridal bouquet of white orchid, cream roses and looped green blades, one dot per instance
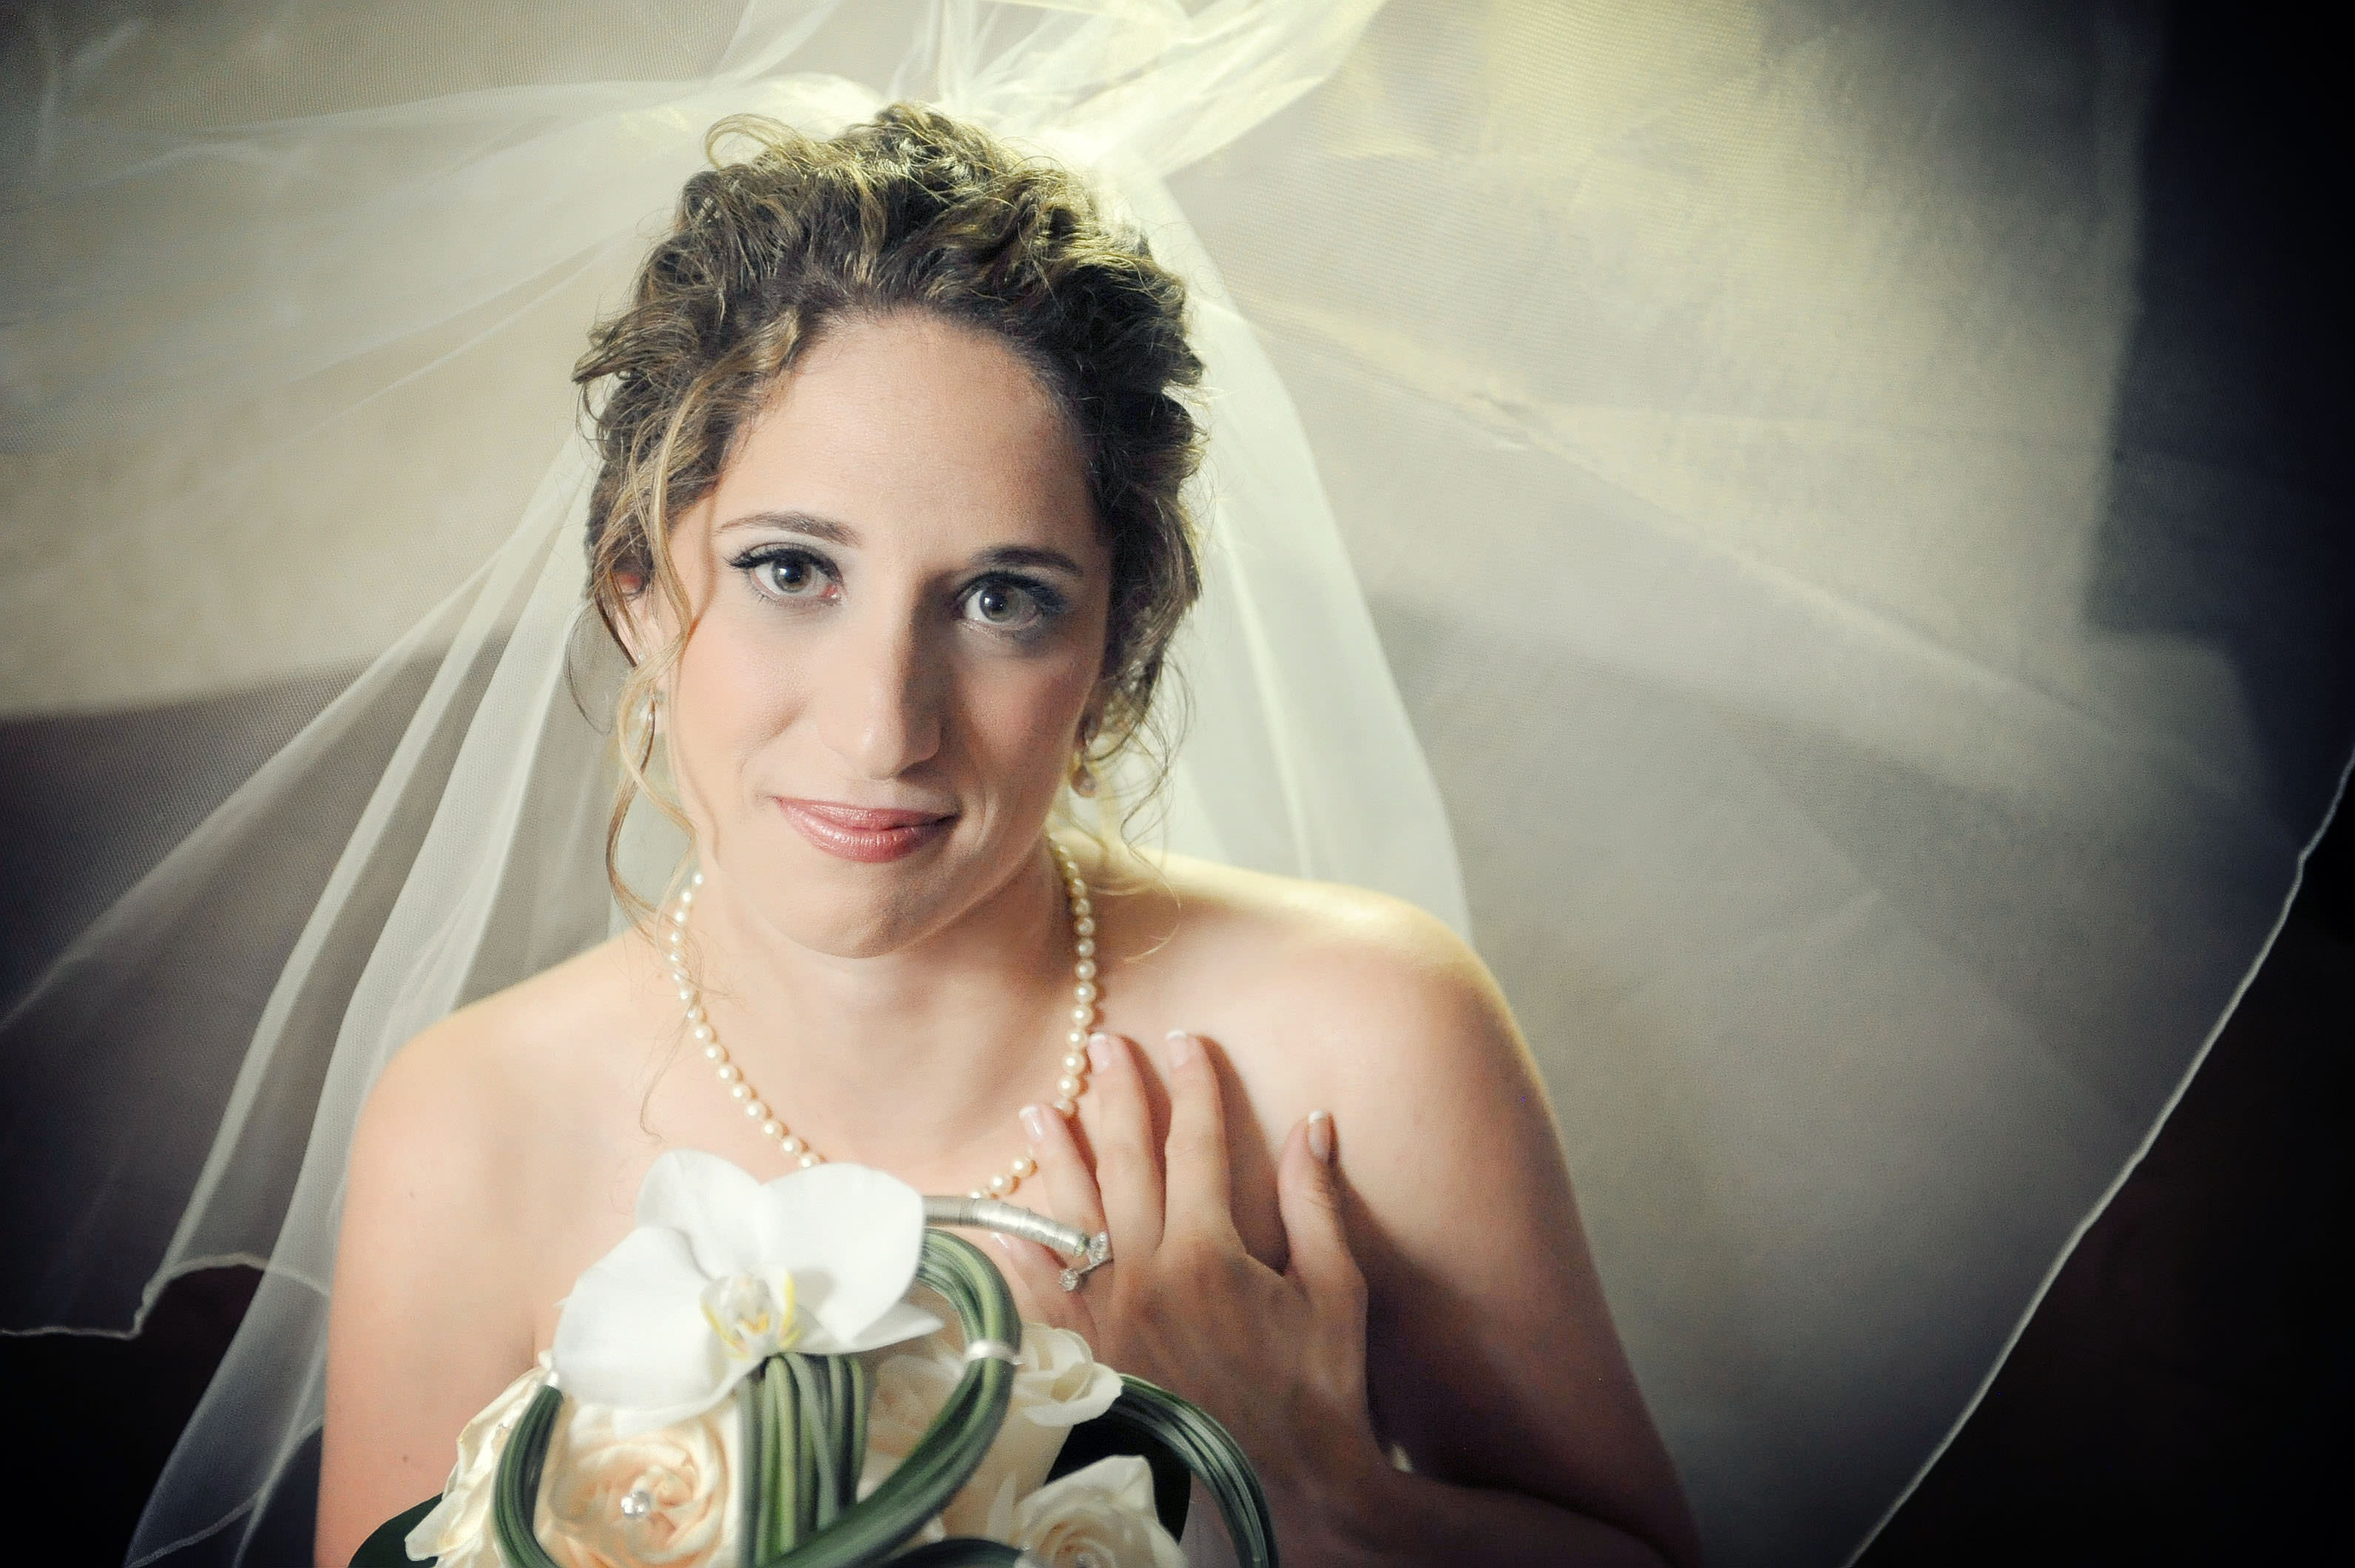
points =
(743, 1381)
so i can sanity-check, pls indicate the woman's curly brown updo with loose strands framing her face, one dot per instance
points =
(908, 213)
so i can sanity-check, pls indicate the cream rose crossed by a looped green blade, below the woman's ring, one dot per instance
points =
(1056, 1388)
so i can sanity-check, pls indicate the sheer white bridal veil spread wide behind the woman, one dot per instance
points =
(1723, 418)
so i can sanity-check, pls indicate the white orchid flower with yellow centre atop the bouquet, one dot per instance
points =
(727, 1273)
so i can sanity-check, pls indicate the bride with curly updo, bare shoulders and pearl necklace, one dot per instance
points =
(889, 526)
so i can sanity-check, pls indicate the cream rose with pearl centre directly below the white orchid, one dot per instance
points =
(618, 1499)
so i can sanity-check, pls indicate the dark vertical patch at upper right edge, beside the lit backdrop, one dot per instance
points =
(2234, 416)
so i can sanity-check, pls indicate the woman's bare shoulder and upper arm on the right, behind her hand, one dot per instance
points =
(1492, 1353)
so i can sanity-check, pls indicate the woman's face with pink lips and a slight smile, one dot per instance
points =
(901, 609)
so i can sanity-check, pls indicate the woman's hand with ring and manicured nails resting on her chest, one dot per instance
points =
(1278, 1357)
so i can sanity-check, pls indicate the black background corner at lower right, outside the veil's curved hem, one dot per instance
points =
(2182, 1393)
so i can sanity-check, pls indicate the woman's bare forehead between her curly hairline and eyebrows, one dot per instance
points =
(917, 434)
